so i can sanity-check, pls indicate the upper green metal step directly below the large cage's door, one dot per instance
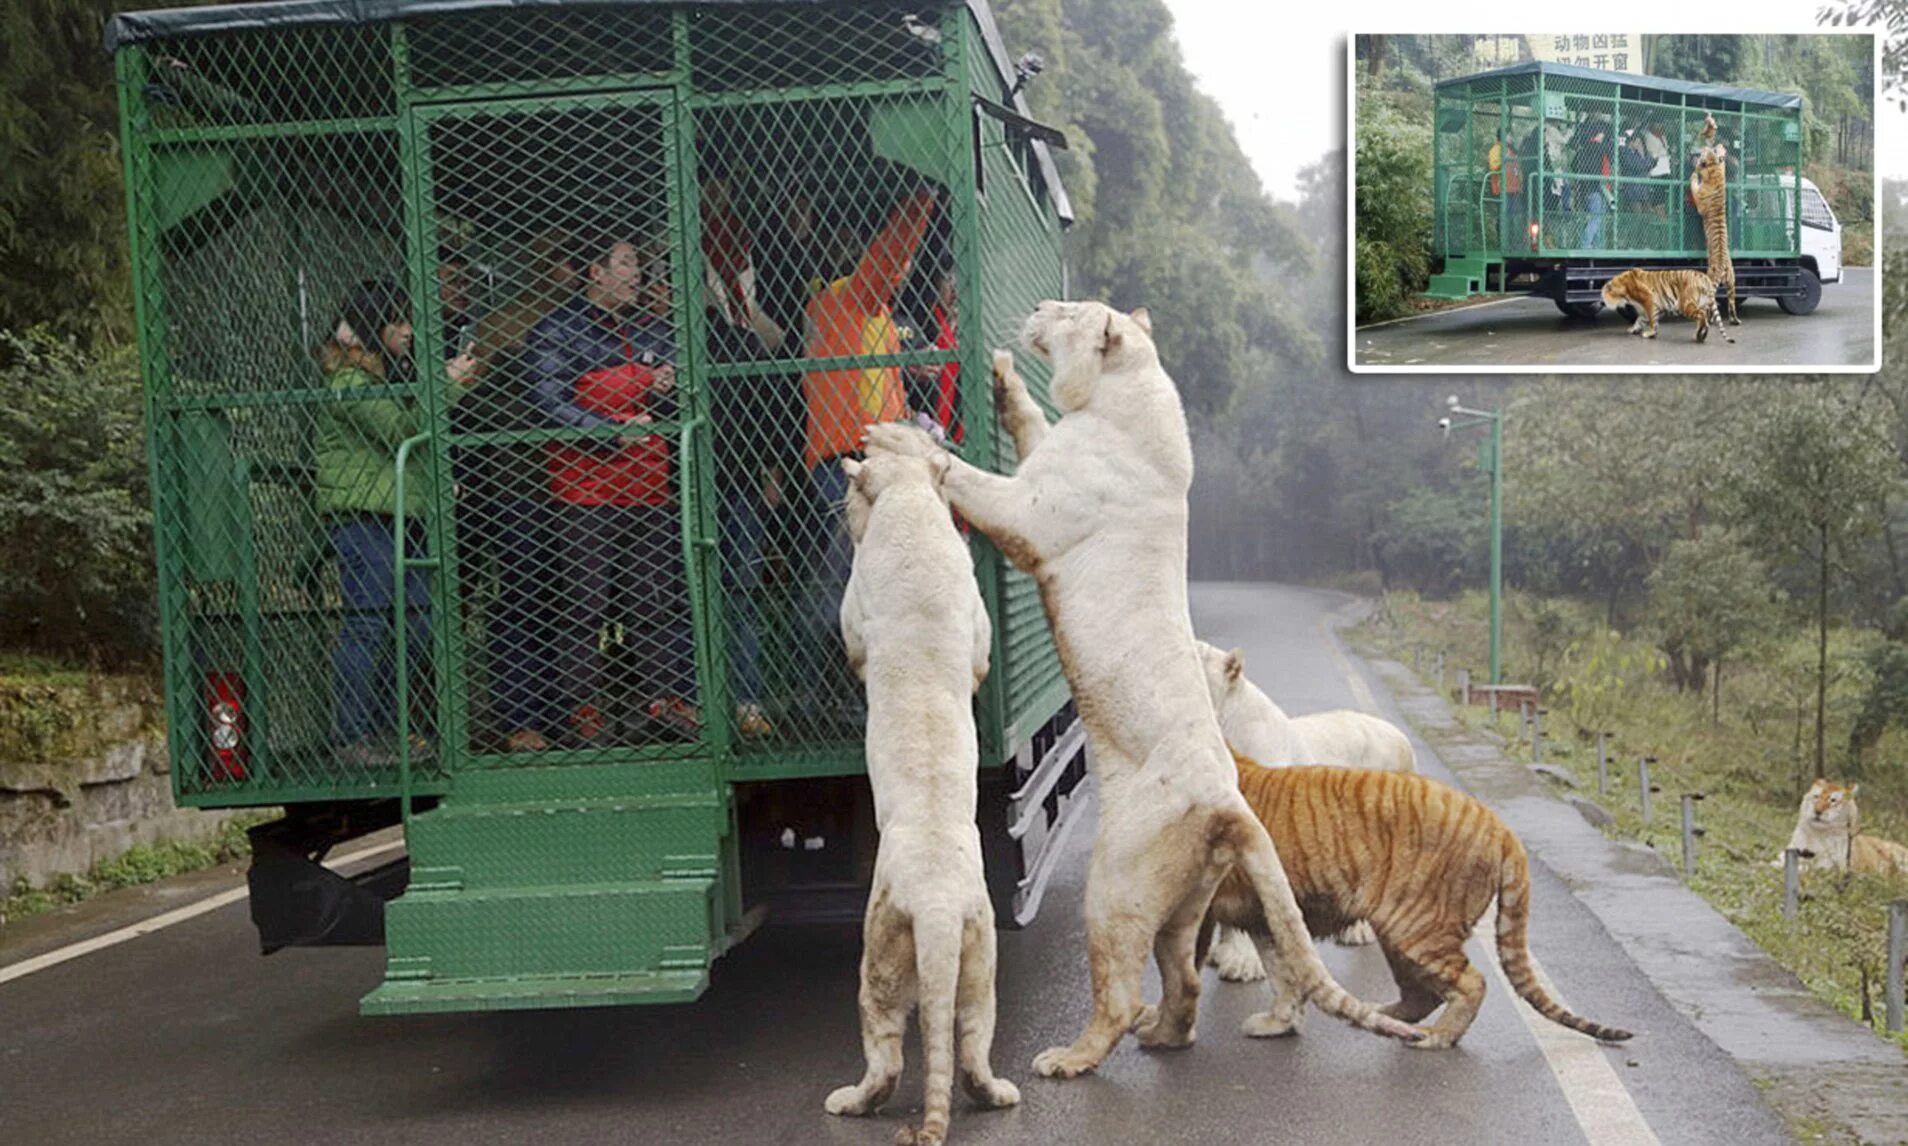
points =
(608, 840)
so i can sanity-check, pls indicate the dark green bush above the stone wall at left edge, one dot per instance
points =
(75, 522)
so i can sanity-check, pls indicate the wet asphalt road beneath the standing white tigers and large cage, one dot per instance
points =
(192, 1036)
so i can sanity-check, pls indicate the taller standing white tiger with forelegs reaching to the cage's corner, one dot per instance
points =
(1098, 516)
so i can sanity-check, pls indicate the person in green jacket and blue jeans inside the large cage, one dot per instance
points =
(358, 497)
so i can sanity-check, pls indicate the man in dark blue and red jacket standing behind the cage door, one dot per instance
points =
(608, 359)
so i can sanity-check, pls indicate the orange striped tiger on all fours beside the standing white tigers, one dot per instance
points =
(1415, 857)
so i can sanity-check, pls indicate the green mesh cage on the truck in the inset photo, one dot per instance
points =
(1594, 165)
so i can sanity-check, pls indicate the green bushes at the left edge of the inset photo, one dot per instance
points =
(1394, 207)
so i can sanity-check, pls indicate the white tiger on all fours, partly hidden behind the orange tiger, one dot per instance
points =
(1262, 731)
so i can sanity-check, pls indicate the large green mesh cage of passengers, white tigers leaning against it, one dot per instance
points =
(501, 363)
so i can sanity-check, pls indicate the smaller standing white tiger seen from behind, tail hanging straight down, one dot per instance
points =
(917, 634)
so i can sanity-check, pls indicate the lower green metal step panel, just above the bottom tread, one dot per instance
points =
(552, 931)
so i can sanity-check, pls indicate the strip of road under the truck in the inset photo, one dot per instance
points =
(1533, 333)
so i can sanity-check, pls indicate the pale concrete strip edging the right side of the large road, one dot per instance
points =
(1823, 1073)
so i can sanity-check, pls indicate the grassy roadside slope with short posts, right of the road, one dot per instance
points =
(1751, 758)
